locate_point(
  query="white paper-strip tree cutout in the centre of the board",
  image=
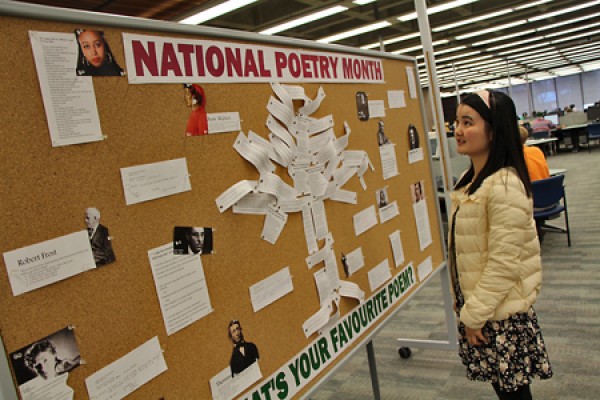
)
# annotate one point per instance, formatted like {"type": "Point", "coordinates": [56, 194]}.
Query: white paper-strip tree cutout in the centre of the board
{"type": "Point", "coordinates": [319, 165]}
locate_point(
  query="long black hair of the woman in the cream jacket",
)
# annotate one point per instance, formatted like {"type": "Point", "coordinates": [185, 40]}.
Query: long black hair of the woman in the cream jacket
{"type": "Point", "coordinates": [506, 149]}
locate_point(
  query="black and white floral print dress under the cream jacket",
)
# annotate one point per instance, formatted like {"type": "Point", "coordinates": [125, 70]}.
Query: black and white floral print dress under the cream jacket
{"type": "Point", "coordinates": [515, 351]}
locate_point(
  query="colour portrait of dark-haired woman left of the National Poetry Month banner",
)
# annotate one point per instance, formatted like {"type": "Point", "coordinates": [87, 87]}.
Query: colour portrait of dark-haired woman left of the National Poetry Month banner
{"type": "Point", "coordinates": [95, 57]}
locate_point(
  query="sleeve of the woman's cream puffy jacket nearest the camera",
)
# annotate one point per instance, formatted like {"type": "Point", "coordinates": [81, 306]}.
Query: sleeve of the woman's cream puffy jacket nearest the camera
{"type": "Point", "coordinates": [508, 214]}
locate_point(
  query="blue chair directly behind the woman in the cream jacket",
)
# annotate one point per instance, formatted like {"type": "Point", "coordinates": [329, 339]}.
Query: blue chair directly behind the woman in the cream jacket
{"type": "Point", "coordinates": [547, 196]}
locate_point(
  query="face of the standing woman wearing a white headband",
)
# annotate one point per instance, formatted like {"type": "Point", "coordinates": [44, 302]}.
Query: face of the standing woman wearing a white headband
{"type": "Point", "coordinates": [472, 133]}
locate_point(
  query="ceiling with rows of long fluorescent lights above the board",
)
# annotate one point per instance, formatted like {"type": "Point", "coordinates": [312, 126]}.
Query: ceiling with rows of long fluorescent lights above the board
{"type": "Point", "coordinates": [481, 43]}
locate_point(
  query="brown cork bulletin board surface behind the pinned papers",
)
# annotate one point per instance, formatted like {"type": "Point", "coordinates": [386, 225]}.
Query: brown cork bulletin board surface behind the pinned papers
{"type": "Point", "coordinates": [115, 309]}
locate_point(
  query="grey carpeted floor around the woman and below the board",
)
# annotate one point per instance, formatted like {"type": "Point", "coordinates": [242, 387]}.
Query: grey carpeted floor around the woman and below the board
{"type": "Point", "coordinates": [568, 309]}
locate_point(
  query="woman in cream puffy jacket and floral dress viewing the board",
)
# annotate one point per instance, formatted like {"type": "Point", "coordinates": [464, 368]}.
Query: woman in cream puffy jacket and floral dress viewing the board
{"type": "Point", "coordinates": [494, 251]}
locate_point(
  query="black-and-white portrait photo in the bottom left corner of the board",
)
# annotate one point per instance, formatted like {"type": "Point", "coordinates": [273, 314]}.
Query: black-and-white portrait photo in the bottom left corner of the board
{"type": "Point", "coordinates": [47, 358]}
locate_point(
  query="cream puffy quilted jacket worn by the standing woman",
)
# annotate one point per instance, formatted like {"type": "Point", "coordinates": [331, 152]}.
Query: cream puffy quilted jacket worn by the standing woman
{"type": "Point", "coordinates": [497, 250]}
